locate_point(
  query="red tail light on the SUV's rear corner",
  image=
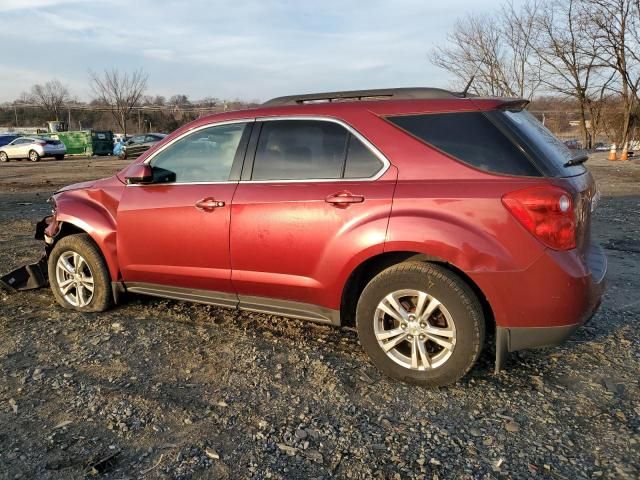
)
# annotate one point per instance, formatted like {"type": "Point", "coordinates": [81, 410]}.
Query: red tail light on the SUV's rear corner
{"type": "Point", "coordinates": [547, 212]}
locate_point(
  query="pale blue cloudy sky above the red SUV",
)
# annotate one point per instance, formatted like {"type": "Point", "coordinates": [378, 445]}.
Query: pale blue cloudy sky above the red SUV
{"type": "Point", "coordinates": [228, 49]}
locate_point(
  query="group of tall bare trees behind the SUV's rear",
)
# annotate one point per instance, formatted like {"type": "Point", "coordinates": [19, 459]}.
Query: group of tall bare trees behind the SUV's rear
{"type": "Point", "coordinates": [584, 51]}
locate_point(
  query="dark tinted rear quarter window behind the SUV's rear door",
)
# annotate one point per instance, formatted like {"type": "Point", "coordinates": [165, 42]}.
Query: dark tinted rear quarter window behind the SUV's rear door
{"type": "Point", "coordinates": [471, 138]}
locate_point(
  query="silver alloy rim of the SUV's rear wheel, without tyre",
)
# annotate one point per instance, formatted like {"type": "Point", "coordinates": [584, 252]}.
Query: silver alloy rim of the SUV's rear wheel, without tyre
{"type": "Point", "coordinates": [414, 329]}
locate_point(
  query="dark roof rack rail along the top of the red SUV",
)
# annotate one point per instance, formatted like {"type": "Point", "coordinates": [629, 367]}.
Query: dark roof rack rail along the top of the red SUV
{"type": "Point", "coordinates": [379, 94]}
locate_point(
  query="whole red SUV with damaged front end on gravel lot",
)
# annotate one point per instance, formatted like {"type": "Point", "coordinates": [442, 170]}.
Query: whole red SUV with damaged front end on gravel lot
{"type": "Point", "coordinates": [426, 216]}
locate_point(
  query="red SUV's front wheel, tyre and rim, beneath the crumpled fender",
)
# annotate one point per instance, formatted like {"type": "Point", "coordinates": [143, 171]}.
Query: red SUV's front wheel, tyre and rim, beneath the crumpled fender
{"type": "Point", "coordinates": [78, 275]}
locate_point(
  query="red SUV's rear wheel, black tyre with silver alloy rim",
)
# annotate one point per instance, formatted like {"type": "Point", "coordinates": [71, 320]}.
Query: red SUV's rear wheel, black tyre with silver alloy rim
{"type": "Point", "coordinates": [420, 323]}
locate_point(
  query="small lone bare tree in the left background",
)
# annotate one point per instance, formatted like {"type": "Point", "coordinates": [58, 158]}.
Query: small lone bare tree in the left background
{"type": "Point", "coordinates": [120, 91]}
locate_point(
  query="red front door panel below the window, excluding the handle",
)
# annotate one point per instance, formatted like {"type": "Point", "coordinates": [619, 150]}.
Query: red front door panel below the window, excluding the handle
{"type": "Point", "coordinates": [164, 239]}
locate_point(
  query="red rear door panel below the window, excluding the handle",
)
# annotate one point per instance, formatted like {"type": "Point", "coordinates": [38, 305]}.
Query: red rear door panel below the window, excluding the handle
{"type": "Point", "coordinates": [287, 242]}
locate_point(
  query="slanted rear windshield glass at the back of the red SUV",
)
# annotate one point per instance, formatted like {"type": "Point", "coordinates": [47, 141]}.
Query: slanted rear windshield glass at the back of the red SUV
{"type": "Point", "coordinates": [546, 146]}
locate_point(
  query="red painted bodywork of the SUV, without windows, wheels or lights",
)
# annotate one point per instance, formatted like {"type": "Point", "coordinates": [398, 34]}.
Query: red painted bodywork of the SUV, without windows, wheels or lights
{"type": "Point", "coordinates": [282, 240]}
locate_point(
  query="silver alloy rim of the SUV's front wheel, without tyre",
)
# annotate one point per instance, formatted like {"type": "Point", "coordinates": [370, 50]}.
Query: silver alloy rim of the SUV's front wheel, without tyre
{"type": "Point", "coordinates": [75, 280]}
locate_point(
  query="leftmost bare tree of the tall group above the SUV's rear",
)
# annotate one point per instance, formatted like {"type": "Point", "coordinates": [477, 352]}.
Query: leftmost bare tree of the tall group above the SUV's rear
{"type": "Point", "coordinates": [495, 51]}
